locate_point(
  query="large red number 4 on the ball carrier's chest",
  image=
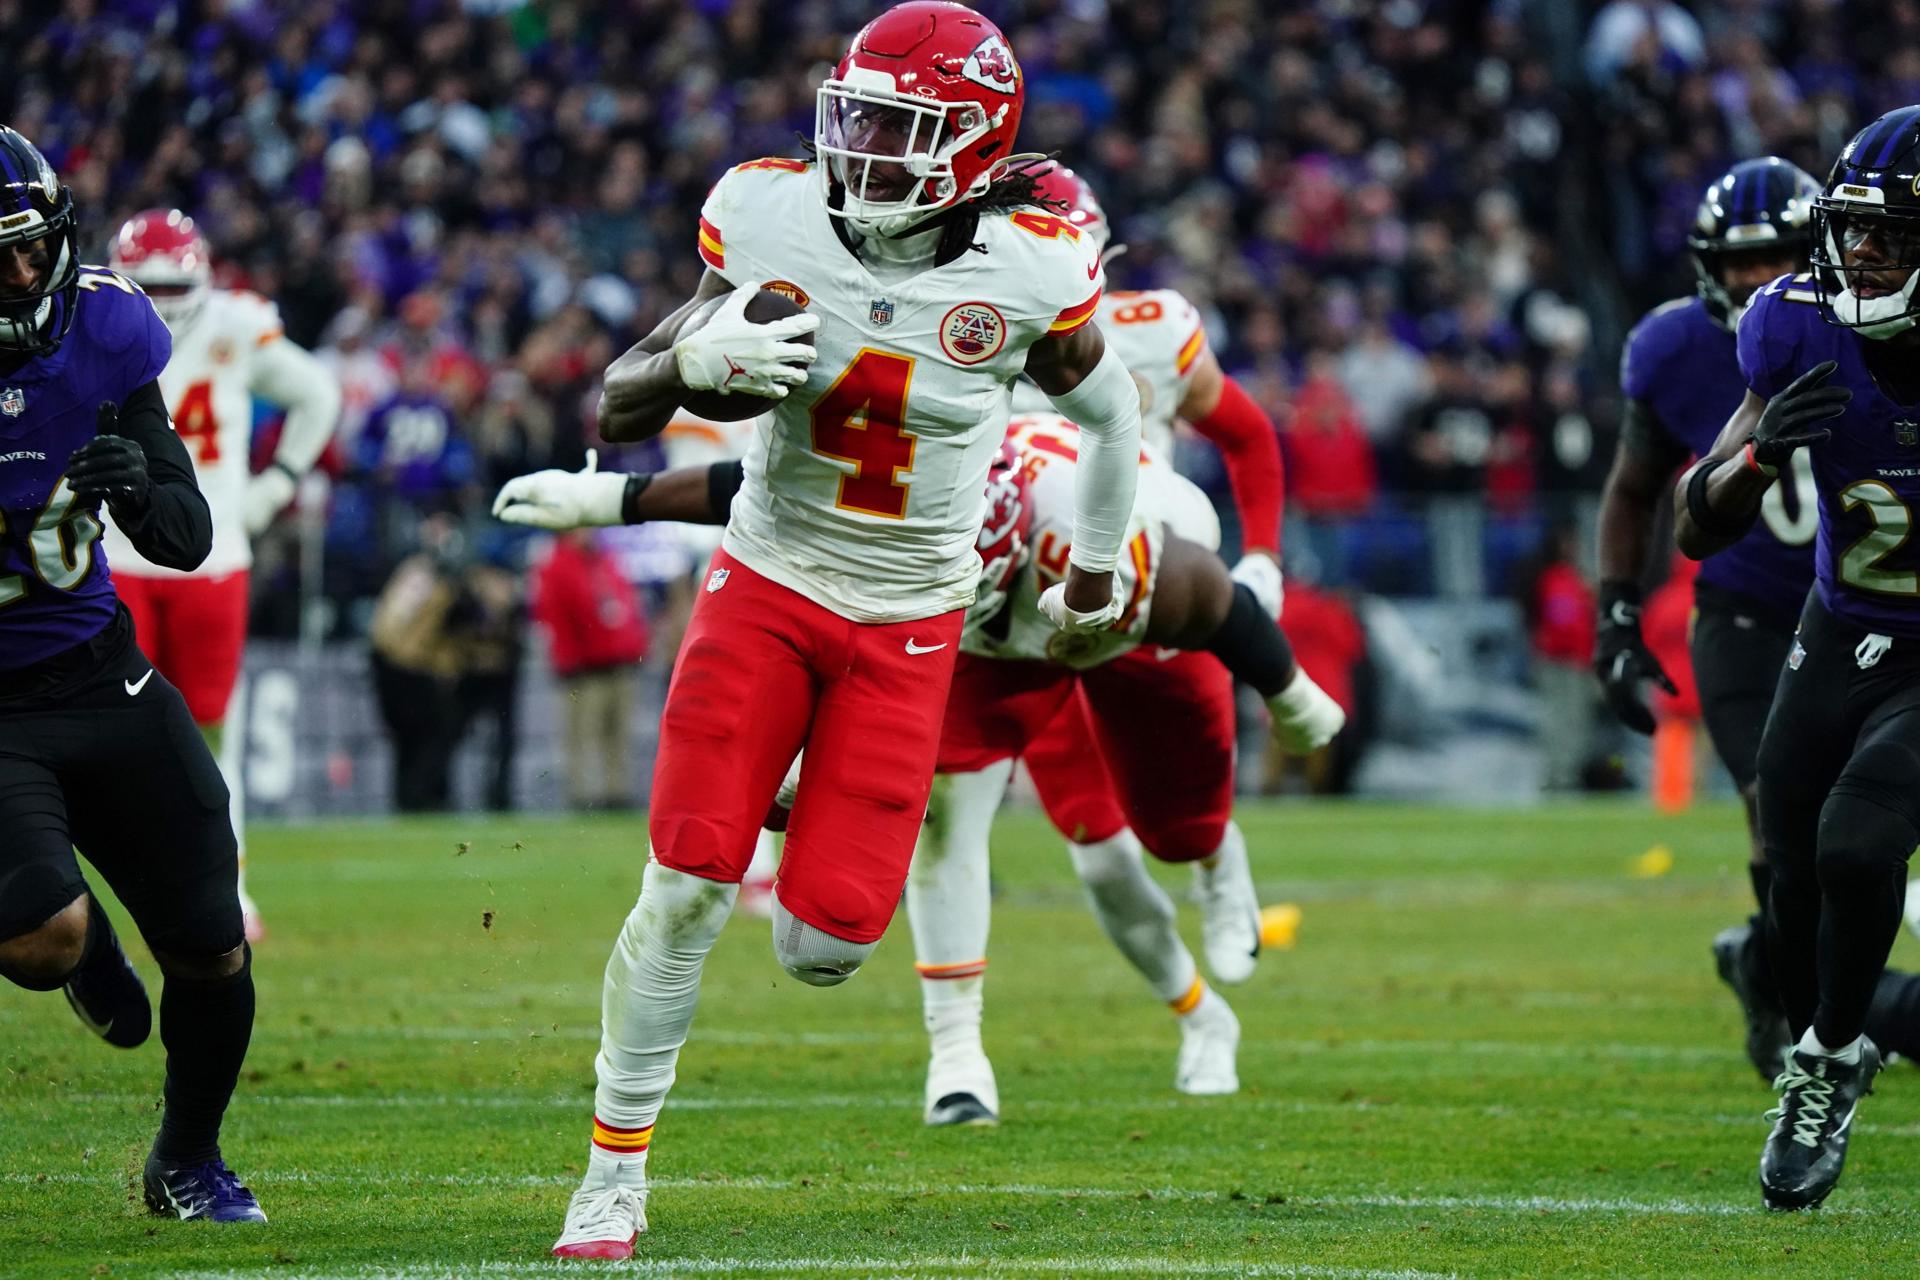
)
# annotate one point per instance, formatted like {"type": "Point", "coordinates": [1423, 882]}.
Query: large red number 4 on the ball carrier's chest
{"type": "Point", "coordinates": [861, 421]}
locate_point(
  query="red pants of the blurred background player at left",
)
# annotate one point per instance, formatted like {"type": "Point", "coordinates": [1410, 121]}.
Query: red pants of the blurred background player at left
{"type": "Point", "coordinates": [193, 630]}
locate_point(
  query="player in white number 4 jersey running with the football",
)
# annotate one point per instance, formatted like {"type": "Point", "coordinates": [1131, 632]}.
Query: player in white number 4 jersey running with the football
{"type": "Point", "coordinates": [832, 611]}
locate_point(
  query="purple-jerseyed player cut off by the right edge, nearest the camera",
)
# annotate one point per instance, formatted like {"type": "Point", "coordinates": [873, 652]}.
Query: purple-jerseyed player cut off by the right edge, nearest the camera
{"type": "Point", "coordinates": [1831, 367]}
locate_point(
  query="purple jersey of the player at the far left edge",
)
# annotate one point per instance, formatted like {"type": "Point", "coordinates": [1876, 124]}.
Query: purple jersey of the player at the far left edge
{"type": "Point", "coordinates": [55, 588]}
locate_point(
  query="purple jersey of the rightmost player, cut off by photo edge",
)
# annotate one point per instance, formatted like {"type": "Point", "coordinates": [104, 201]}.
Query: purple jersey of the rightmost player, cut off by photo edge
{"type": "Point", "coordinates": [1869, 473]}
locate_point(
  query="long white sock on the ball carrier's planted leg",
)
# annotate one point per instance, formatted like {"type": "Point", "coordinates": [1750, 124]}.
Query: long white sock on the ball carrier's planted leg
{"type": "Point", "coordinates": [654, 982]}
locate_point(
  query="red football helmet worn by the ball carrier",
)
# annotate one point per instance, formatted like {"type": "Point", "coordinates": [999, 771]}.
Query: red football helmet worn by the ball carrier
{"type": "Point", "coordinates": [919, 116]}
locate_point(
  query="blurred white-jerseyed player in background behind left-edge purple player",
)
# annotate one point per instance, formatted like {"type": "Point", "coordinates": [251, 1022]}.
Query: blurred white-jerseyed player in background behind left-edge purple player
{"type": "Point", "coordinates": [229, 350]}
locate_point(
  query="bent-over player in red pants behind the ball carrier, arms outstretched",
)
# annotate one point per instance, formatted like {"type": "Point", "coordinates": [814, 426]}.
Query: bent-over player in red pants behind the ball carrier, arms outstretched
{"type": "Point", "coordinates": [1159, 717]}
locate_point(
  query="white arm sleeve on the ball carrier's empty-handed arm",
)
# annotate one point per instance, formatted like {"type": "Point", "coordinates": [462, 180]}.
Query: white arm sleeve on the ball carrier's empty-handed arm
{"type": "Point", "coordinates": [1107, 406]}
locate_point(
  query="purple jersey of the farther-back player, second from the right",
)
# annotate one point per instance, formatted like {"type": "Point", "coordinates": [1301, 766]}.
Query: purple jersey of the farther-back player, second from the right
{"type": "Point", "coordinates": [1685, 367]}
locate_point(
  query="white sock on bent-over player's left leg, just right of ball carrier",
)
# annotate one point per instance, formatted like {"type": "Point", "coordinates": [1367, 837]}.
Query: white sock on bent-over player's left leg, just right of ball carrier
{"type": "Point", "coordinates": [949, 905]}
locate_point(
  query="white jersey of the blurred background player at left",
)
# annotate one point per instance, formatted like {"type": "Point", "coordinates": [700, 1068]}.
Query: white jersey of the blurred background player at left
{"type": "Point", "coordinates": [210, 392]}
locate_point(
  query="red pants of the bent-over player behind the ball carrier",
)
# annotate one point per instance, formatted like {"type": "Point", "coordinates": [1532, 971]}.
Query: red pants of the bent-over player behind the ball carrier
{"type": "Point", "coordinates": [1138, 742]}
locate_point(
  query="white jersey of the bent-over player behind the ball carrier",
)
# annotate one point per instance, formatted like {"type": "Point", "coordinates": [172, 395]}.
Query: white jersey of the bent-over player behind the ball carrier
{"type": "Point", "coordinates": [1164, 504]}
